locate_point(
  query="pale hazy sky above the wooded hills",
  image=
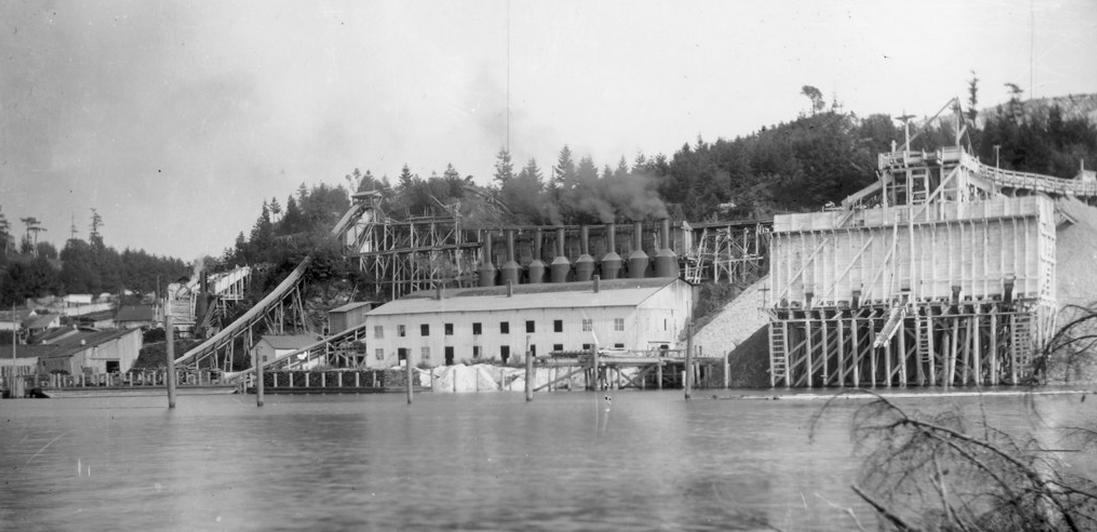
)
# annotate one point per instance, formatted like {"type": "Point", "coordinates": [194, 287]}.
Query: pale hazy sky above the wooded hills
{"type": "Point", "coordinates": [176, 120]}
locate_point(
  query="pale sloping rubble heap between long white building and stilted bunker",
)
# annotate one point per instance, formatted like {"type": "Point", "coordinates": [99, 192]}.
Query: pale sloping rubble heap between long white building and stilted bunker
{"type": "Point", "coordinates": [736, 323]}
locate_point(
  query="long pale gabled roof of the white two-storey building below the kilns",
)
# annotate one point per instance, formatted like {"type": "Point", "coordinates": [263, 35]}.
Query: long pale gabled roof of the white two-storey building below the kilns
{"type": "Point", "coordinates": [616, 293]}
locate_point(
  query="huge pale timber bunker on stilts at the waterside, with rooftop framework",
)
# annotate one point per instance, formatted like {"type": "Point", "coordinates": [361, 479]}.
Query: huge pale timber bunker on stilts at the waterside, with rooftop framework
{"type": "Point", "coordinates": [943, 273]}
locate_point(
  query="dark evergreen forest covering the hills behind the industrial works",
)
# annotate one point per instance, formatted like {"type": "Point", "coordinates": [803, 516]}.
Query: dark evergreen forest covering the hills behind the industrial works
{"type": "Point", "coordinates": [822, 156]}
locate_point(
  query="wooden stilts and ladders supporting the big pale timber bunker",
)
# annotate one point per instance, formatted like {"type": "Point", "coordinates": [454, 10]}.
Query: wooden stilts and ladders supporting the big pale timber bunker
{"type": "Point", "coordinates": [985, 344]}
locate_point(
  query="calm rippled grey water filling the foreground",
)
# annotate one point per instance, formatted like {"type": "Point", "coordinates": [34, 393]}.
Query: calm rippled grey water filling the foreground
{"type": "Point", "coordinates": [568, 461]}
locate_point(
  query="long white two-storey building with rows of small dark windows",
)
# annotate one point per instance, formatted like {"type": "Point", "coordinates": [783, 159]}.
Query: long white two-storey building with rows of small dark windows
{"type": "Point", "coordinates": [499, 323]}
